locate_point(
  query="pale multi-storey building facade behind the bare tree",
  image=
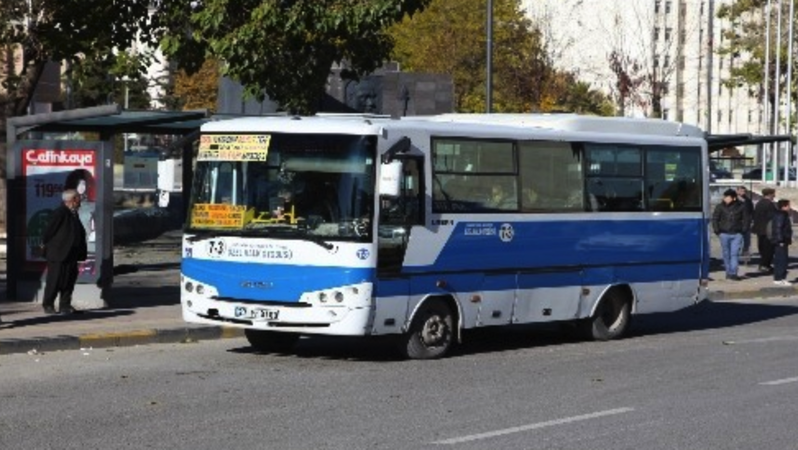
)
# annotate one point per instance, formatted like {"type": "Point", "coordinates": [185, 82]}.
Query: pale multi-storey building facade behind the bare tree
{"type": "Point", "coordinates": [667, 50]}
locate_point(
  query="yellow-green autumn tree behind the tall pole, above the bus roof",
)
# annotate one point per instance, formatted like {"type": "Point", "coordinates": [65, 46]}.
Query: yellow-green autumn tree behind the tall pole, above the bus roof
{"type": "Point", "coordinates": [449, 37]}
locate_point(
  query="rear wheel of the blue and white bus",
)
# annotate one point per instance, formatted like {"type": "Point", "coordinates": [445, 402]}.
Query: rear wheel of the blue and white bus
{"type": "Point", "coordinates": [611, 320]}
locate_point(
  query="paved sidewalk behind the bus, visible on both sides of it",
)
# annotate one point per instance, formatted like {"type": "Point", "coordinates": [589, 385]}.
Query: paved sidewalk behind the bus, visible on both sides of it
{"type": "Point", "coordinates": [145, 305]}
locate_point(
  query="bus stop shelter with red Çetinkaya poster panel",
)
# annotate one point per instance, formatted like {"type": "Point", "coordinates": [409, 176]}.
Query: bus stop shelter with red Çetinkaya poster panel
{"type": "Point", "coordinates": [39, 169]}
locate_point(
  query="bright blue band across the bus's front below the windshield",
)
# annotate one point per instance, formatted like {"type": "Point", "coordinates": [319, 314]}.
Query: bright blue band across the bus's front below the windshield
{"type": "Point", "coordinates": [261, 282]}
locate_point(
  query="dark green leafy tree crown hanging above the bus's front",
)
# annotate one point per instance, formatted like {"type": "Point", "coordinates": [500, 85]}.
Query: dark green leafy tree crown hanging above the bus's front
{"type": "Point", "coordinates": [281, 47]}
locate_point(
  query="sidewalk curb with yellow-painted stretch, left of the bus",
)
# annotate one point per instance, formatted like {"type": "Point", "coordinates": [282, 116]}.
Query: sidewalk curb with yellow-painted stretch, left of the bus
{"type": "Point", "coordinates": [120, 339]}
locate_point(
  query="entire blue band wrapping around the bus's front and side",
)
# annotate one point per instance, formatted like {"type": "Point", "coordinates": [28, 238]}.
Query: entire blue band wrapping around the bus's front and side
{"type": "Point", "coordinates": [581, 253]}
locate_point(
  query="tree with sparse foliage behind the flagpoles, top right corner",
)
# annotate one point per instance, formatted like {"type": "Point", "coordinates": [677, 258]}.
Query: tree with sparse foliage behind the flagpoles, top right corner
{"type": "Point", "coordinates": [744, 42]}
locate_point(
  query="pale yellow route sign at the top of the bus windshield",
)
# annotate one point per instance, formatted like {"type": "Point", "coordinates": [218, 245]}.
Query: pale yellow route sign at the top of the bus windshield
{"type": "Point", "coordinates": [234, 147]}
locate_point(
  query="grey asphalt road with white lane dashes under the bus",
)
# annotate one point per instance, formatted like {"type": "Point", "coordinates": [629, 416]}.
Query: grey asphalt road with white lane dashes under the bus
{"type": "Point", "coordinates": [720, 376]}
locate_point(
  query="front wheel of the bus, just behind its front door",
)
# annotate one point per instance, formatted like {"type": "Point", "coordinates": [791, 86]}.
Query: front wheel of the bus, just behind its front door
{"type": "Point", "coordinates": [431, 334]}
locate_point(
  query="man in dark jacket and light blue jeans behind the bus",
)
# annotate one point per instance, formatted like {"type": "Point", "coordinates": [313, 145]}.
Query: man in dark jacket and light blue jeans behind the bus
{"type": "Point", "coordinates": [729, 221]}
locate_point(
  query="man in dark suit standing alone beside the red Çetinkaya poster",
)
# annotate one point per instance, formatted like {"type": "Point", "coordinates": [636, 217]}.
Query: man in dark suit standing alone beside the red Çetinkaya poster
{"type": "Point", "coordinates": [64, 245]}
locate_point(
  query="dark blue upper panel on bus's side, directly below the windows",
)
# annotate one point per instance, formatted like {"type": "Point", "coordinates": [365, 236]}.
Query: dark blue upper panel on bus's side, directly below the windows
{"type": "Point", "coordinates": [478, 246]}
